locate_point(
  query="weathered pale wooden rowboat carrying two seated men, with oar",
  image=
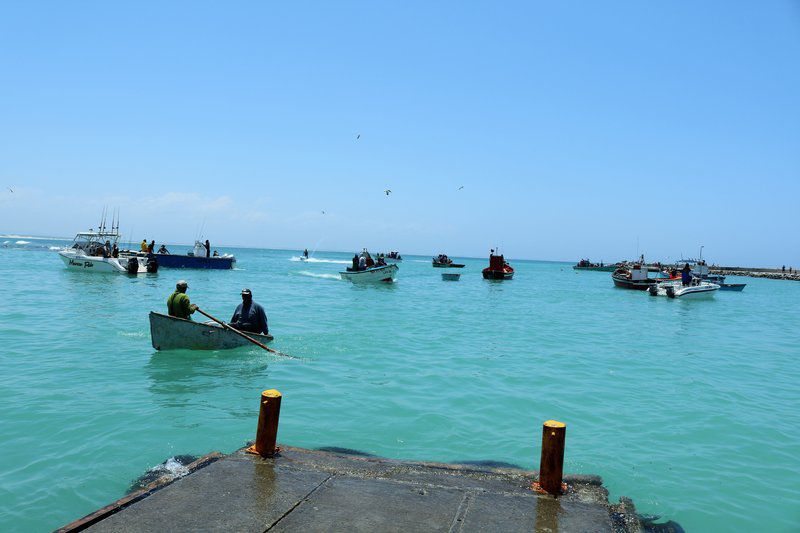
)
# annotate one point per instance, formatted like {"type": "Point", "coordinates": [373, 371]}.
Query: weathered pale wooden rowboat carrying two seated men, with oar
{"type": "Point", "coordinates": [171, 333]}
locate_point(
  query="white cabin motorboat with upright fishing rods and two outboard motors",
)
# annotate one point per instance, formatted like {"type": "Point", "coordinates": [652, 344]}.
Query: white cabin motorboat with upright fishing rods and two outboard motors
{"type": "Point", "coordinates": [97, 251]}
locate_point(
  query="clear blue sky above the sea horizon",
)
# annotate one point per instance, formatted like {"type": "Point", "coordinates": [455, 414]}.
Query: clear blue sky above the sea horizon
{"type": "Point", "coordinates": [575, 128]}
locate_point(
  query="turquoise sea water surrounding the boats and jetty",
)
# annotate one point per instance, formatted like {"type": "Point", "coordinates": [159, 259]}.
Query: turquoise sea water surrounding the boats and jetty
{"type": "Point", "coordinates": [688, 407]}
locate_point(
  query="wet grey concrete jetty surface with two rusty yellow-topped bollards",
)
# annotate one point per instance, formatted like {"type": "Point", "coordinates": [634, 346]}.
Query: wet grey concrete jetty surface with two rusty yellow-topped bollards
{"type": "Point", "coordinates": [314, 490]}
